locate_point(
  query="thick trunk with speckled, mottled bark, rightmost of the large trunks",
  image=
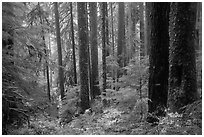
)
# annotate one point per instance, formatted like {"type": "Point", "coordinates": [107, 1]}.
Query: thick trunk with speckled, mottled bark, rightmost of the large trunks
{"type": "Point", "coordinates": [182, 65]}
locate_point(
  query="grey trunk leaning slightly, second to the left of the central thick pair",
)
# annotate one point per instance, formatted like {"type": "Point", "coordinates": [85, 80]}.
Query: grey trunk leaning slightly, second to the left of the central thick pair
{"type": "Point", "coordinates": [59, 49]}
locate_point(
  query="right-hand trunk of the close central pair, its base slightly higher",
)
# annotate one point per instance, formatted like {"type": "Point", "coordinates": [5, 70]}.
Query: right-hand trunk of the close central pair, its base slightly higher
{"type": "Point", "coordinates": [94, 49]}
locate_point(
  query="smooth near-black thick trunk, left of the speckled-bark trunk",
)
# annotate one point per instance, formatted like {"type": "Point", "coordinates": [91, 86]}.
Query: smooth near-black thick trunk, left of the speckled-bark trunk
{"type": "Point", "coordinates": [159, 46]}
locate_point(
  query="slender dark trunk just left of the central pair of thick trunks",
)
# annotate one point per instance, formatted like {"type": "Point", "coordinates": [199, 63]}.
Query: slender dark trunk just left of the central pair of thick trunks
{"type": "Point", "coordinates": [73, 46]}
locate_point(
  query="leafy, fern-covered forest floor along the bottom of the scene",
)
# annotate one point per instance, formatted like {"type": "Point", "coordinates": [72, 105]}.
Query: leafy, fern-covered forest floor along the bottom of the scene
{"type": "Point", "coordinates": [124, 115]}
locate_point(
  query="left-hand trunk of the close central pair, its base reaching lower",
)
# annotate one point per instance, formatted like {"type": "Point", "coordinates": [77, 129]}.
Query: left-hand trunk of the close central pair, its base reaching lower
{"type": "Point", "coordinates": [83, 56]}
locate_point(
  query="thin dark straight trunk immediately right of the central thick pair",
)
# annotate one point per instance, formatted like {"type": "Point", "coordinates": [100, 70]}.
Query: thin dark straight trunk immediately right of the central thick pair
{"type": "Point", "coordinates": [104, 6]}
